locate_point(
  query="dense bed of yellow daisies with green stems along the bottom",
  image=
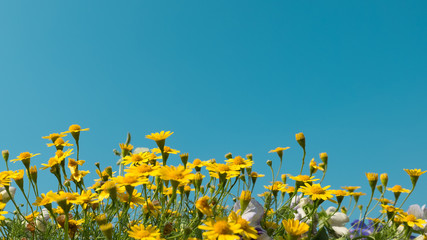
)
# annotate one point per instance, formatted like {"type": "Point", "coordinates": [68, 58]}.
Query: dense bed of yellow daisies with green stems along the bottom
{"type": "Point", "coordinates": [145, 197]}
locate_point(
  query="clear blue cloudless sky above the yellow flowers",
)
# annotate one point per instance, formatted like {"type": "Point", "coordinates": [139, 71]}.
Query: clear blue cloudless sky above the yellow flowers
{"type": "Point", "coordinates": [225, 76]}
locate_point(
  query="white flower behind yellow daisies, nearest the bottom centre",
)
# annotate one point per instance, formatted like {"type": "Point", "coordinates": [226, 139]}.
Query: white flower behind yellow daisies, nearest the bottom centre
{"type": "Point", "coordinates": [253, 214]}
